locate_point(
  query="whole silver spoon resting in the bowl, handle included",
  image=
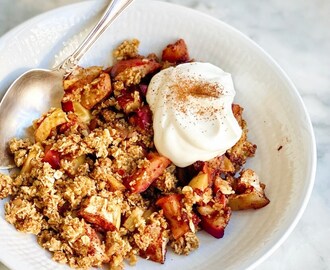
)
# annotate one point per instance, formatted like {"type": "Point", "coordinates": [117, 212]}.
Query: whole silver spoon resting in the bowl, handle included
{"type": "Point", "coordinates": [37, 90]}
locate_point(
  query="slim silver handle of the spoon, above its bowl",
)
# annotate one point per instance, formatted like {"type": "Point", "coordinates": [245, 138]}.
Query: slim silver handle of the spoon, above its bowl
{"type": "Point", "coordinates": [114, 8]}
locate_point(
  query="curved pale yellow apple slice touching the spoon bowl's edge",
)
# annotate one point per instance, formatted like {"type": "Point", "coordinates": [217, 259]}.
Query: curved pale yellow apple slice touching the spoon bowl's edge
{"type": "Point", "coordinates": [55, 118]}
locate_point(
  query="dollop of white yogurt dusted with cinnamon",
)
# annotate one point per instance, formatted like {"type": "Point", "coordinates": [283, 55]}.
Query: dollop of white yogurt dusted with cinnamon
{"type": "Point", "coordinates": [192, 112]}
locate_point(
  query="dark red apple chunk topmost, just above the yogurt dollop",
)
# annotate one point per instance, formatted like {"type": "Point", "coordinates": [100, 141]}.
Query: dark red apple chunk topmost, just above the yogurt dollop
{"type": "Point", "coordinates": [176, 52]}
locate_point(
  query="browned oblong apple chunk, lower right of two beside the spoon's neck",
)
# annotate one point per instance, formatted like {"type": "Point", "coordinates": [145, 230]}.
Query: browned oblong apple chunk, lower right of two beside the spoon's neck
{"type": "Point", "coordinates": [97, 90]}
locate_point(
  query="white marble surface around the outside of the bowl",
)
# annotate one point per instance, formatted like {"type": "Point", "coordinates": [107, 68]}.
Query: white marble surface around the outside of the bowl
{"type": "Point", "coordinates": [296, 33]}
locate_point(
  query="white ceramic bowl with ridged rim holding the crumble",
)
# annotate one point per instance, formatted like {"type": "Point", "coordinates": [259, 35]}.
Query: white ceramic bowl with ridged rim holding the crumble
{"type": "Point", "coordinates": [276, 116]}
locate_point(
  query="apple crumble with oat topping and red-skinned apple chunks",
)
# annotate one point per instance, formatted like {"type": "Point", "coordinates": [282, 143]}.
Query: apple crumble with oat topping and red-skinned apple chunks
{"type": "Point", "coordinates": [92, 186]}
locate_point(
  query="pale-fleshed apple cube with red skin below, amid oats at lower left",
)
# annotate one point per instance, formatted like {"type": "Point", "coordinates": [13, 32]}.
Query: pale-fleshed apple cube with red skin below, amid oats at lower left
{"type": "Point", "coordinates": [103, 213]}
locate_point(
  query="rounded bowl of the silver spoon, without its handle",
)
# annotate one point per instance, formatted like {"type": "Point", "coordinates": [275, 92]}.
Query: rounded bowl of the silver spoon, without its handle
{"type": "Point", "coordinates": [30, 95]}
